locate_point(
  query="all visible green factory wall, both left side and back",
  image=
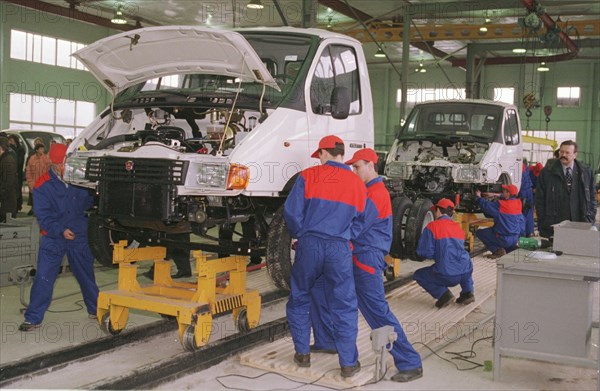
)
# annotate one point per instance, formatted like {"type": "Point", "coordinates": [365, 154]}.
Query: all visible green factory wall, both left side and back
{"type": "Point", "coordinates": [27, 77]}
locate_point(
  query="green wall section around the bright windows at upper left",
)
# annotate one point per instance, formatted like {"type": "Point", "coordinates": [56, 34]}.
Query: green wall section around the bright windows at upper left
{"type": "Point", "coordinates": [40, 79]}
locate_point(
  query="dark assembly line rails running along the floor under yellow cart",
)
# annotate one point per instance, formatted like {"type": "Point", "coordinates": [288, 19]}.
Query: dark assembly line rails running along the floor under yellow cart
{"type": "Point", "coordinates": [152, 375]}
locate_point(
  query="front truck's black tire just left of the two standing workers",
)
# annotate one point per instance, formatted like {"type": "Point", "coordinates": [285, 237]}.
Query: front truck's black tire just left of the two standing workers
{"type": "Point", "coordinates": [279, 253]}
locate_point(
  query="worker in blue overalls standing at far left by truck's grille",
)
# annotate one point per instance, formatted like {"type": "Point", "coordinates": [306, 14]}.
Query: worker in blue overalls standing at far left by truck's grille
{"type": "Point", "coordinates": [60, 210]}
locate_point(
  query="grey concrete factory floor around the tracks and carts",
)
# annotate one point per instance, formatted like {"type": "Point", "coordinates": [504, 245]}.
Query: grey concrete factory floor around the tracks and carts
{"type": "Point", "coordinates": [67, 325]}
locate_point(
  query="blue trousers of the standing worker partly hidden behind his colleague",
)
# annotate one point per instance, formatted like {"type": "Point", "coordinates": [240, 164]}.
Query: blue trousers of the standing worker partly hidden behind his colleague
{"type": "Point", "coordinates": [368, 278]}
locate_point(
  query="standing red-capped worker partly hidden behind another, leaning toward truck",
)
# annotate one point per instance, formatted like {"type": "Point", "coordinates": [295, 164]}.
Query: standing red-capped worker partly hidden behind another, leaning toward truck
{"type": "Point", "coordinates": [370, 245]}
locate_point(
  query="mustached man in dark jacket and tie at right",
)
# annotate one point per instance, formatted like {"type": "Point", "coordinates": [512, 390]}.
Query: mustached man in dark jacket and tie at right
{"type": "Point", "coordinates": [565, 191]}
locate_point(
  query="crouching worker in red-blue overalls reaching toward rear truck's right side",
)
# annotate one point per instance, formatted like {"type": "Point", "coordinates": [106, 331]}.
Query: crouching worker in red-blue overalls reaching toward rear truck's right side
{"type": "Point", "coordinates": [508, 221]}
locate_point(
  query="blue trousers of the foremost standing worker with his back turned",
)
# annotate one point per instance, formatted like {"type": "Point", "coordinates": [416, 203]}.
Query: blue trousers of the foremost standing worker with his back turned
{"type": "Point", "coordinates": [331, 260]}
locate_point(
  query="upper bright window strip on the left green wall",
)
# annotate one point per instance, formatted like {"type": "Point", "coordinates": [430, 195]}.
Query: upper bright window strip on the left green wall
{"type": "Point", "coordinates": [44, 50]}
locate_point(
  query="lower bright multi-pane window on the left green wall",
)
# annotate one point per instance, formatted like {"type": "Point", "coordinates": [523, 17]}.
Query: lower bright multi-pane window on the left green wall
{"type": "Point", "coordinates": [63, 116]}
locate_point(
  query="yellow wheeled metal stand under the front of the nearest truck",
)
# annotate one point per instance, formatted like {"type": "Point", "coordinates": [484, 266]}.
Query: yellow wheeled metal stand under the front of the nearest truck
{"type": "Point", "coordinates": [192, 304]}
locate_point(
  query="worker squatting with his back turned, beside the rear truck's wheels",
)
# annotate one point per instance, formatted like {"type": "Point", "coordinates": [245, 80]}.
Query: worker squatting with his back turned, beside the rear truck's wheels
{"type": "Point", "coordinates": [444, 241]}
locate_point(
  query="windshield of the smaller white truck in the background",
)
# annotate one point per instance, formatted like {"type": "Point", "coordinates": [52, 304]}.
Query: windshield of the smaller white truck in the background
{"type": "Point", "coordinates": [450, 121]}
